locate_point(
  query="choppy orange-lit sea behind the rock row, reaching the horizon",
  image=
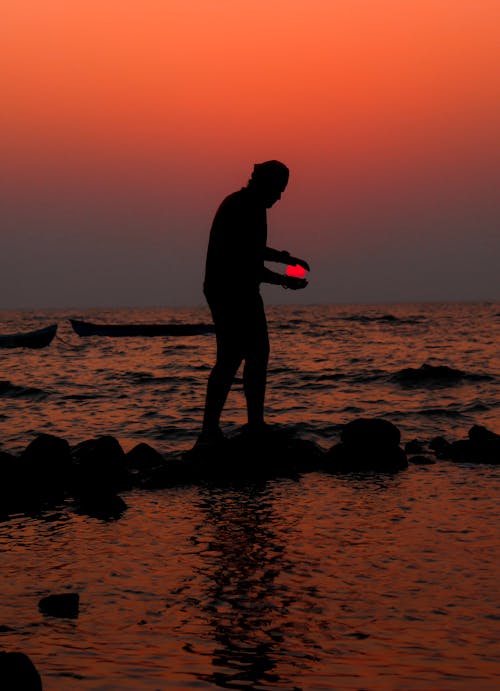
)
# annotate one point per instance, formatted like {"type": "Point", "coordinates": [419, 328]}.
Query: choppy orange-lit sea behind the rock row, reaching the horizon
{"type": "Point", "coordinates": [328, 364]}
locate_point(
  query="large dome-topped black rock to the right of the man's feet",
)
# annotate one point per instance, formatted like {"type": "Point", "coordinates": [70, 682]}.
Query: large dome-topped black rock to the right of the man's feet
{"type": "Point", "coordinates": [367, 444]}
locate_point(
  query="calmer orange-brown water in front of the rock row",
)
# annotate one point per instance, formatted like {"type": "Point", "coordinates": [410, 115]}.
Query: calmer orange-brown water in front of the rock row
{"type": "Point", "coordinates": [372, 582]}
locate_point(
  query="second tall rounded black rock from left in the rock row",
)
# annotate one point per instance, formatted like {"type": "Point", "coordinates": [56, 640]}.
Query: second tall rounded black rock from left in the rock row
{"type": "Point", "coordinates": [100, 467]}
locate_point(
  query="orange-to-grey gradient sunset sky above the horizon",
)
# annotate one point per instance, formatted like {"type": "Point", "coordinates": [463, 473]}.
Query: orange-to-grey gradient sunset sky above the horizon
{"type": "Point", "coordinates": [125, 122]}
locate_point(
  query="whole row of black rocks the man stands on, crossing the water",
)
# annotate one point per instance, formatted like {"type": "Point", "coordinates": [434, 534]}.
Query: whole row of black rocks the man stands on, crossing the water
{"type": "Point", "coordinates": [92, 474]}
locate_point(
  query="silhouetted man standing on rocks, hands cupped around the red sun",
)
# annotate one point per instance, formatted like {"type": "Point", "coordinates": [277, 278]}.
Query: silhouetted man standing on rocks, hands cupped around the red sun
{"type": "Point", "coordinates": [234, 271]}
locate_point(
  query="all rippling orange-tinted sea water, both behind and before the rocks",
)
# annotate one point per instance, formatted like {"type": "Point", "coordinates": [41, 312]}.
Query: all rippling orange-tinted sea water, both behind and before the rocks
{"type": "Point", "coordinates": [325, 582]}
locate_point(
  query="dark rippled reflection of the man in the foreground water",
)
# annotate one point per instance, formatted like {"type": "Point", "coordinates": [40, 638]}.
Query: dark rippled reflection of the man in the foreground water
{"type": "Point", "coordinates": [245, 604]}
